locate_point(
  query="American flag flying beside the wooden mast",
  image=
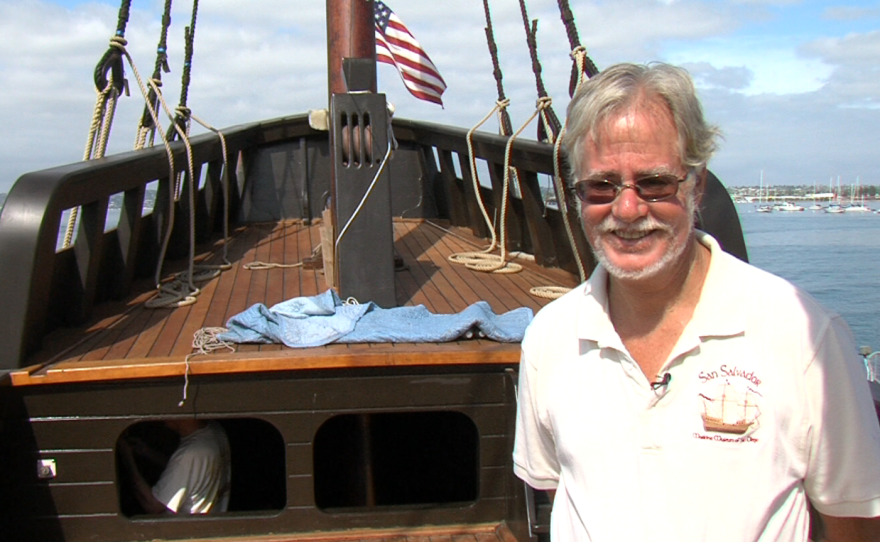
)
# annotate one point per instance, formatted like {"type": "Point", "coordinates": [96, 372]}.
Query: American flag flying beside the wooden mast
{"type": "Point", "coordinates": [395, 45]}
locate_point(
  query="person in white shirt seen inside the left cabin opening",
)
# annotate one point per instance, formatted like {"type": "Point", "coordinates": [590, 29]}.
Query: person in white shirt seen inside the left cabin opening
{"type": "Point", "coordinates": [197, 477]}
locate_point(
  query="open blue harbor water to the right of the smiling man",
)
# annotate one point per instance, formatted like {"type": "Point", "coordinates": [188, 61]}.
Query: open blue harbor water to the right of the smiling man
{"type": "Point", "coordinates": [834, 257]}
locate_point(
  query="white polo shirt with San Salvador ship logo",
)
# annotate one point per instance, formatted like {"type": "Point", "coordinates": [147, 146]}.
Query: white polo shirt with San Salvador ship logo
{"type": "Point", "coordinates": [767, 406]}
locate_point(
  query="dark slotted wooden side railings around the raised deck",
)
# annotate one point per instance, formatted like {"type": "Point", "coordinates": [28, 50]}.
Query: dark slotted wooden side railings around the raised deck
{"type": "Point", "coordinates": [43, 287]}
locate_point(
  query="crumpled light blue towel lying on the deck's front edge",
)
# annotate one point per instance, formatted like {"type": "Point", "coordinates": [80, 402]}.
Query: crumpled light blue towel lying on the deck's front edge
{"type": "Point", "coordinates": [323, 319]}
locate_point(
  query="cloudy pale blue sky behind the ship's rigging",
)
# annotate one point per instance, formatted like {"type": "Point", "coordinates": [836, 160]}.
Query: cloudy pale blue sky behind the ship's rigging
{"type": "Point", "coordinates": [793, 85]}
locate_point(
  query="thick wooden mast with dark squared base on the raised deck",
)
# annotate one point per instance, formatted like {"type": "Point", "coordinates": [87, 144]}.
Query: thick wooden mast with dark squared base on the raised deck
{"type": "Point", "coordinates": [360, 195]}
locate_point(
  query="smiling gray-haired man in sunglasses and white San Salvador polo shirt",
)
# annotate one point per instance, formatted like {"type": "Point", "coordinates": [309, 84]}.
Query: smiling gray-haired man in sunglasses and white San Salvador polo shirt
{"type": "Point", "coordinates": [681, 394]}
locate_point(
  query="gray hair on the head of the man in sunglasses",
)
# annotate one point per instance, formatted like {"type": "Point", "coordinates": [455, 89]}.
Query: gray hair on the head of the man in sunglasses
{"type": "Point", "coordinates": [622, 85]}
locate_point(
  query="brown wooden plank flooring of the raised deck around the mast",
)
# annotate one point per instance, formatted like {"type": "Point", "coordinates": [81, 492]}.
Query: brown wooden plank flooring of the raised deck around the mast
{"type": "Point", "coordinates": [128, 334]}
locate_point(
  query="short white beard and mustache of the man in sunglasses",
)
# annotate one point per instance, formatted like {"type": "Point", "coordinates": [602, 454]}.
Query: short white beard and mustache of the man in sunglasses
{"type": "Point", "coordinates": [649, 223]}
